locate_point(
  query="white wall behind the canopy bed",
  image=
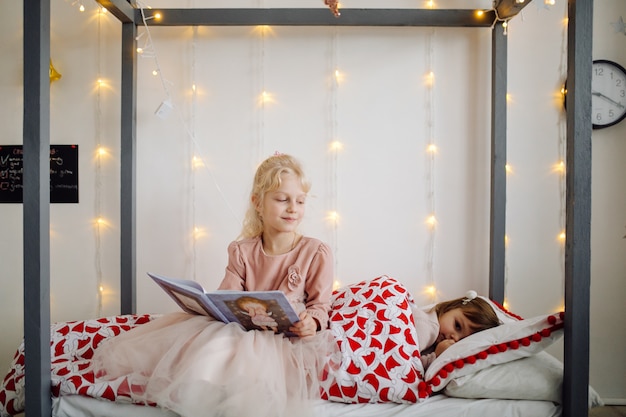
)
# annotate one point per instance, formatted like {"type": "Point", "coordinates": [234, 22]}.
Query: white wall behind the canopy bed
{"type": "Point", "coordinates": [379, 182]}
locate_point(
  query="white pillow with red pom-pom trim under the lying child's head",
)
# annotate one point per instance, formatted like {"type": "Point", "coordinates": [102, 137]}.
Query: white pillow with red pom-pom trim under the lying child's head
{"type": "Point", "coordinates": [510, 341]}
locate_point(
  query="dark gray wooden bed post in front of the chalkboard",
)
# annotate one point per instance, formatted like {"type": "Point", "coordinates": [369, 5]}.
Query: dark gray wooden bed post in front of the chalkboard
{"type": "Point", "coordinates": [36, 206]}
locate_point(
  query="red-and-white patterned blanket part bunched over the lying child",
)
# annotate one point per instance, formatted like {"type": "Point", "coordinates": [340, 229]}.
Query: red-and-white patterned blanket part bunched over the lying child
{"type": "Point", "coordinates": [378, 358]}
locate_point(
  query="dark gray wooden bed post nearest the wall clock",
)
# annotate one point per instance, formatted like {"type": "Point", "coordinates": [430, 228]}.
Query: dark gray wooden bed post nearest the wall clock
{"type": "Point", "coordinates": [578, 208]}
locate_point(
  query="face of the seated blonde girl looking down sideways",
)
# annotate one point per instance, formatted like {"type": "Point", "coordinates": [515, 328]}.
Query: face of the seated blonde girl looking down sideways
{"type": "Point", "coordinates": [282, 210]}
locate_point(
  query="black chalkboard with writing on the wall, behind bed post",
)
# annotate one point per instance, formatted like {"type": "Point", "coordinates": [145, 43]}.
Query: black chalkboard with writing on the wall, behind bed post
{"type": "Point", "coordinates": [63, 173]}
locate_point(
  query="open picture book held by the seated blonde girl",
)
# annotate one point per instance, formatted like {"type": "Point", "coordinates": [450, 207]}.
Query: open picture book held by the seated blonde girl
{"type": "Point", "coordinates": [253, 310]}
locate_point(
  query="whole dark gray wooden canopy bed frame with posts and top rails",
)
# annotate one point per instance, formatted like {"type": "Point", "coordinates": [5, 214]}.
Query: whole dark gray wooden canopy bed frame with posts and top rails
{"type": "Point", "coordinates": [36, 142]}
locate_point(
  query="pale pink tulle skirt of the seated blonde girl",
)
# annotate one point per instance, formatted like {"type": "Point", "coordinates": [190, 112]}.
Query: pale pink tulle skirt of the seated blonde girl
{"type": "Point", "coordinates": [197, 366]}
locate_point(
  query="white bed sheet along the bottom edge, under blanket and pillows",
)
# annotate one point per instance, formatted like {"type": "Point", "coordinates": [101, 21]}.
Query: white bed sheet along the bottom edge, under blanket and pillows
{"type": "Point", "coordinates": [436, 406]}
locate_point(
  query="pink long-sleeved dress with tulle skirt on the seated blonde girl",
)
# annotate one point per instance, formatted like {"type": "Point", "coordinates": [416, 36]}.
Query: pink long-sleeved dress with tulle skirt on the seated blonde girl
{"type": "Point", "coordinates": [197, 366]}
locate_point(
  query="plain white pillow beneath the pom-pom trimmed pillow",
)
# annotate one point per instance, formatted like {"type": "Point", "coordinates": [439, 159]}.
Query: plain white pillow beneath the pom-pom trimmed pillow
{"type": "Point", "coordinates": [537, 377]}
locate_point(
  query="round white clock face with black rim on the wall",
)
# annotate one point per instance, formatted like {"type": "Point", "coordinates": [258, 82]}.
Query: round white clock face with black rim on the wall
{"type": "Point", "coordinates": [608, 94]}
